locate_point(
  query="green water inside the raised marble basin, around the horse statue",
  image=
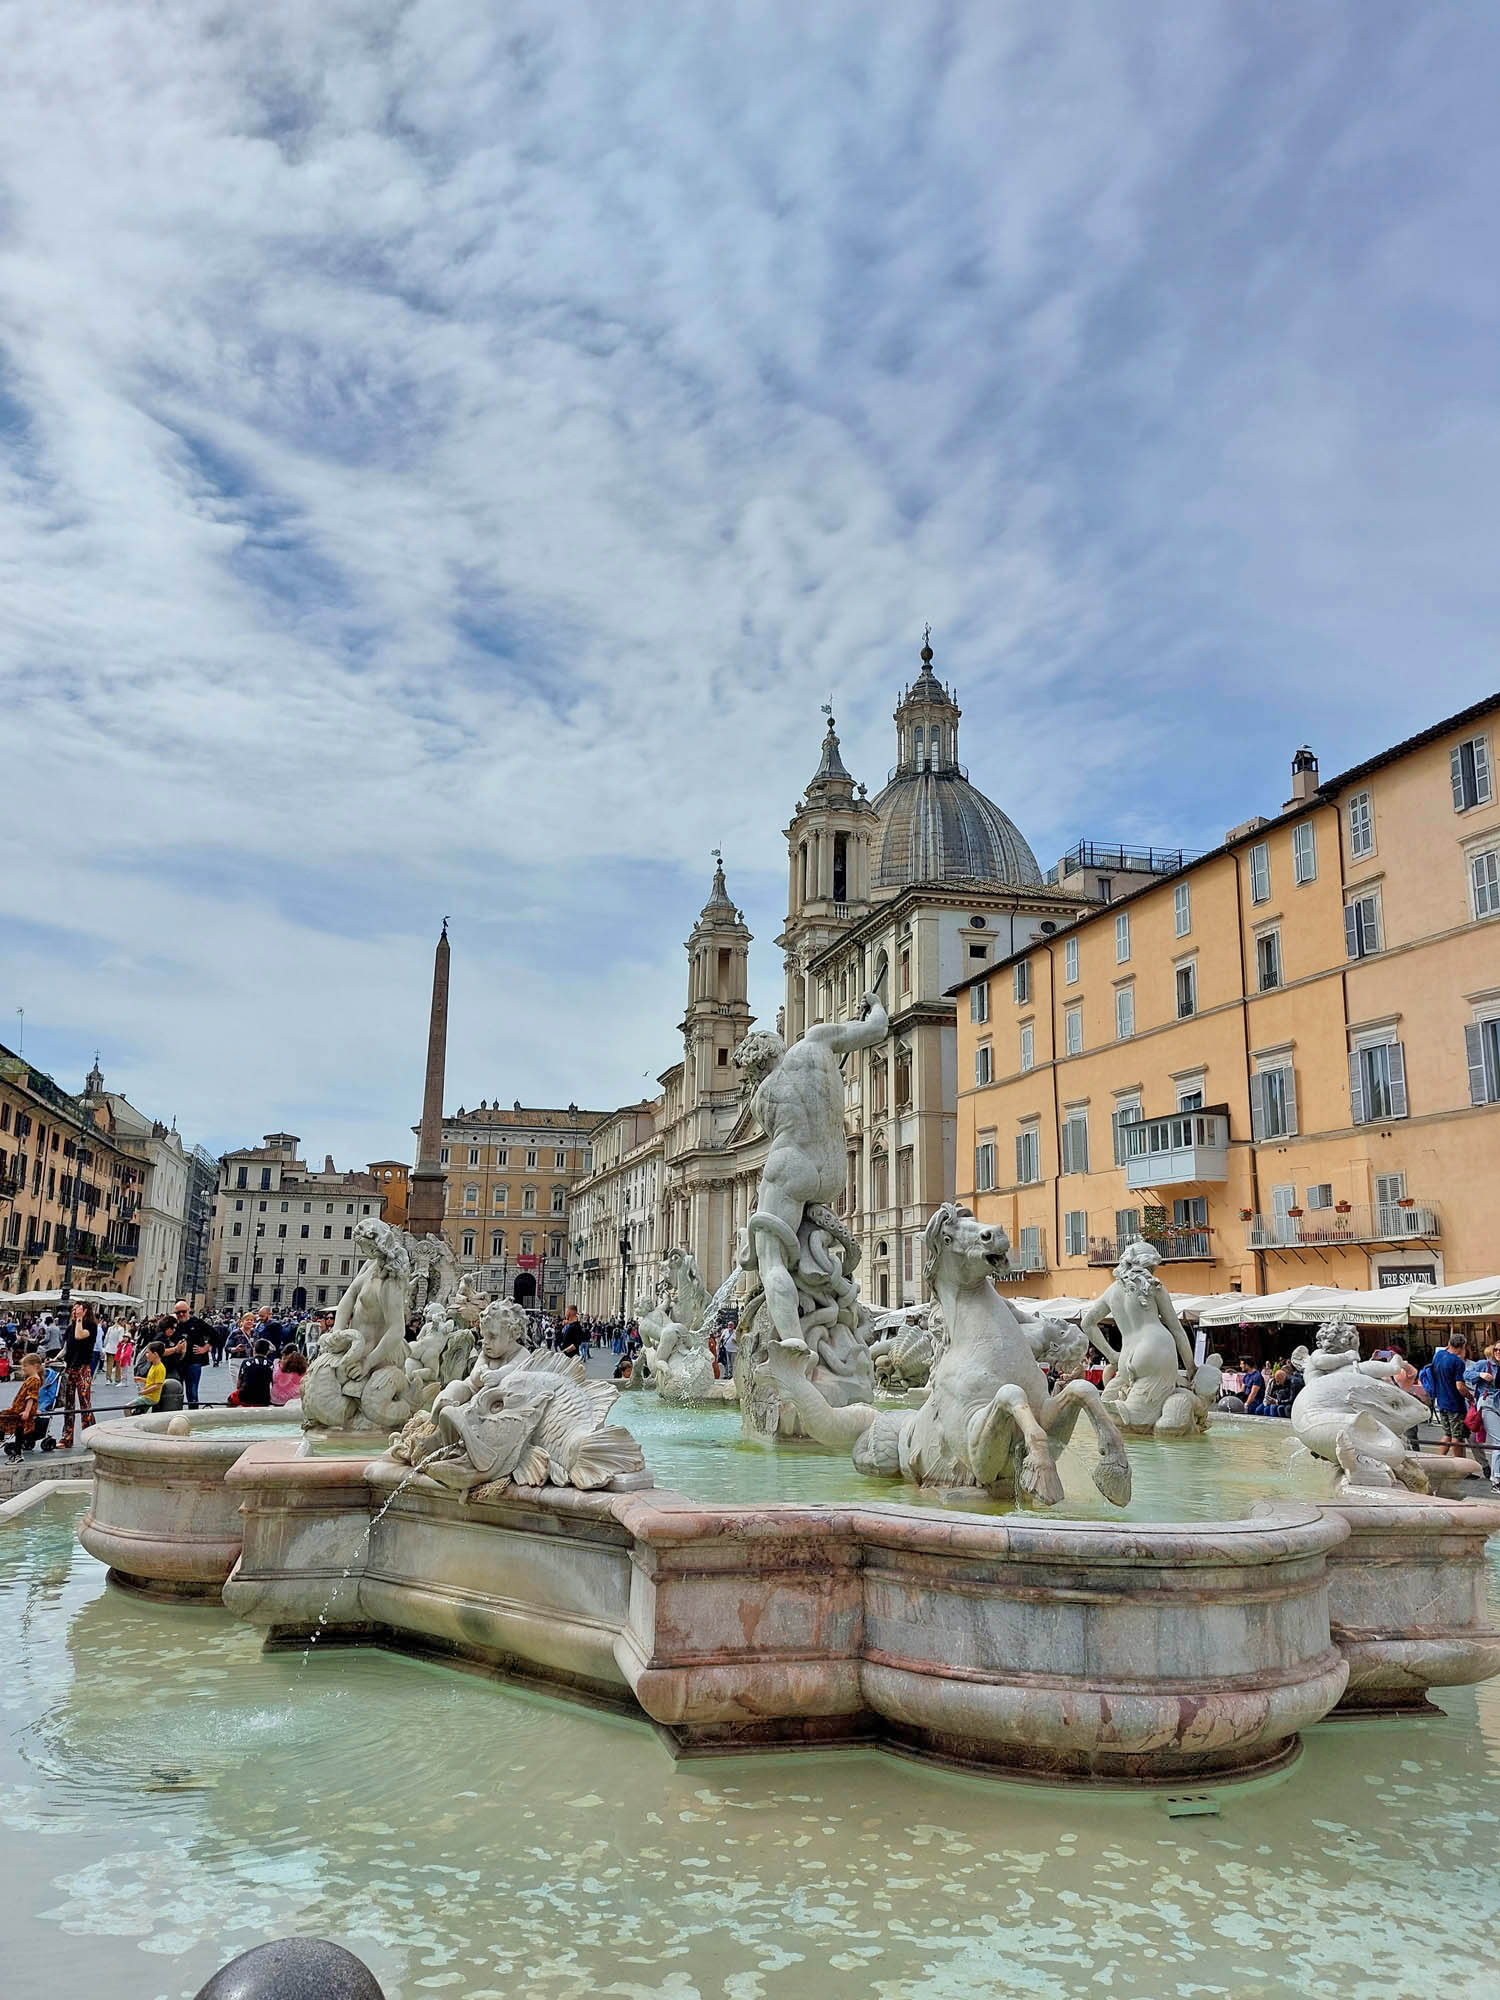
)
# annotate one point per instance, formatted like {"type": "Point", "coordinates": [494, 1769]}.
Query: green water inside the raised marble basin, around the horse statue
{"type": "Point", "coordinates": [1219, 1477]}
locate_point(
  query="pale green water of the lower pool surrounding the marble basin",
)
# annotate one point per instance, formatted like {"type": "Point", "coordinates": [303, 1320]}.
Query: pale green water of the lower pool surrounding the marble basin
{"type": "Point", "coordinates": [171, 1797]}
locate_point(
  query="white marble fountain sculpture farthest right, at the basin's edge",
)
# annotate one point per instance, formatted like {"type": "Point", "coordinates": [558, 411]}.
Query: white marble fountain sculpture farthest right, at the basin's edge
{"type": "Point", "coordinates": [1353, 1415]}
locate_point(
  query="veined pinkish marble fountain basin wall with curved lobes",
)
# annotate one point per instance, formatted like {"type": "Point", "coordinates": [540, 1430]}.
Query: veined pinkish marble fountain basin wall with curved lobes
{"type": "Point", "coordinates": [1035, 1645]}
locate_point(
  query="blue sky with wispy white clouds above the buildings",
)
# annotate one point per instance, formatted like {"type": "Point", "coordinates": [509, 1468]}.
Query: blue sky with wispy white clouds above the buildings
{"type": "Point", "coordinates": [451, 453]}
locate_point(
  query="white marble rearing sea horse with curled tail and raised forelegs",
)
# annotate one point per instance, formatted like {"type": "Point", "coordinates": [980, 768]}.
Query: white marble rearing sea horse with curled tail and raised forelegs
{"type": "Point", "coordinates": [989, 1419]}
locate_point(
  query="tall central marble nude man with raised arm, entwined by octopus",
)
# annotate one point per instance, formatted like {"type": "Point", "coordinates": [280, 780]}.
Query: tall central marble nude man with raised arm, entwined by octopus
{"type": "Point", "coordinates": [799, 1255]}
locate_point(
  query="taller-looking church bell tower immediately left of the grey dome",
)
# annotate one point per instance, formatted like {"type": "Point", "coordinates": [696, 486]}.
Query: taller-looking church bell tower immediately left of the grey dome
{"type": "Point", "coordinates": [829, 849]}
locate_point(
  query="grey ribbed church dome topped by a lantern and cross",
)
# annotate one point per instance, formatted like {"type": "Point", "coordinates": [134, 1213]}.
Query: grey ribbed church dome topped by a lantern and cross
{"type": "Point", "coordinates": [935, 825]}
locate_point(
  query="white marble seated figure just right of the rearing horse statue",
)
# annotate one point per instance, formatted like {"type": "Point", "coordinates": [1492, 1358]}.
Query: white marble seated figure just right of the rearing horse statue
{"type": "Point", "coordinates": [1155, 1387]}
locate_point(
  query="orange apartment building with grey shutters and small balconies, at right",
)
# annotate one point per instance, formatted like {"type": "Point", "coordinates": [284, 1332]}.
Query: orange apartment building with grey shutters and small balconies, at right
{"type": "Point", "coordinates": [1281, 1063]}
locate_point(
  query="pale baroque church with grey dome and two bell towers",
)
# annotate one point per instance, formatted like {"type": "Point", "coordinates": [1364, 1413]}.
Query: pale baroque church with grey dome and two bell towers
{"type": "Point", "coordinates": [903, 895]}
